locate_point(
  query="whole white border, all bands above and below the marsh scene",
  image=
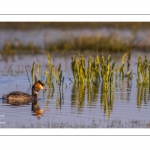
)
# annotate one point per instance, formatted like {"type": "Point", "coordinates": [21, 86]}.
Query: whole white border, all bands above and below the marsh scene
{"type": "Point", "coordinates": [77, 7]}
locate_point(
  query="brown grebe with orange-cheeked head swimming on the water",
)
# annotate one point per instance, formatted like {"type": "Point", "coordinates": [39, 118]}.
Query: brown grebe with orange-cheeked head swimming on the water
{"type": "Point", "coordinates": [21, 98]}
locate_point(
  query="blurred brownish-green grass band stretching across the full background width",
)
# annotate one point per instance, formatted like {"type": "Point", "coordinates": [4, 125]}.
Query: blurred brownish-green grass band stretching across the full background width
{"type": "Point", "coordinates": [81, 43]}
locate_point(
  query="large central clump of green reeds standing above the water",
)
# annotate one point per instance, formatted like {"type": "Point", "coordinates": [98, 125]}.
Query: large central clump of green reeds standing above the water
{"type": "Point", "coordinates": [98, 68]}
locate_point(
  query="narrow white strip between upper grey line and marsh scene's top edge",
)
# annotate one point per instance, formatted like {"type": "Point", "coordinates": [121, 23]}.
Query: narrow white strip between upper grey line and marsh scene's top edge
{"type": "Point", "coordinates": [74, 18]}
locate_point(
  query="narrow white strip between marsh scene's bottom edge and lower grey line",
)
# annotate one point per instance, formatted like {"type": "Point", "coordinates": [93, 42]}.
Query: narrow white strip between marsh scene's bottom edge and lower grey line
{"type": "Point", "coordinates": [75, 131]}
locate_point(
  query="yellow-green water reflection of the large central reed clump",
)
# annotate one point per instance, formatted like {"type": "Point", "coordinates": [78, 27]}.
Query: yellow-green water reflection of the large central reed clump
{"type": "Point", "coordinates": [92, 93]}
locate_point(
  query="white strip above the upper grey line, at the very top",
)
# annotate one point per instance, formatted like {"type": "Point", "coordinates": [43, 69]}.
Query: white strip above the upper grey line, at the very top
{"type": "Point", "coordinates": [74, 7]}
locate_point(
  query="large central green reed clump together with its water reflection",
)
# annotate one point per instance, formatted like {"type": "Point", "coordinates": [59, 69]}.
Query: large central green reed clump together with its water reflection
{"type": "Point", "coordinates": [99, 69]}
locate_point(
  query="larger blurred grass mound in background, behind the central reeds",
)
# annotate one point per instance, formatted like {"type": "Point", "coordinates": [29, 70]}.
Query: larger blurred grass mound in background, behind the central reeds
{"type": "Point", "coordinates": [96, 43]}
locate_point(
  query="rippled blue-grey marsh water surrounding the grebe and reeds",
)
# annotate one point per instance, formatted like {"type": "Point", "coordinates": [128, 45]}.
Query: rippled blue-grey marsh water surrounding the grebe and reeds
{"type": "Point", "coordinates": [71, 105]}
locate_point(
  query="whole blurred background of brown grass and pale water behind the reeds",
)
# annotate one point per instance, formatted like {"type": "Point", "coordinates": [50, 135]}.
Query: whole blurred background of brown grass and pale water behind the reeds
{"type": "Point", "coordinates": [41, 37]}
